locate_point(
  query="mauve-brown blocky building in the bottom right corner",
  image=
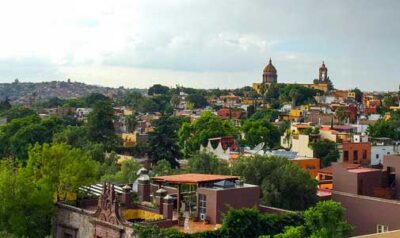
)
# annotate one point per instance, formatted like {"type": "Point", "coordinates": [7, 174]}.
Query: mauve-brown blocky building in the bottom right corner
{"type": "Point", "coordinates": [370, 196]}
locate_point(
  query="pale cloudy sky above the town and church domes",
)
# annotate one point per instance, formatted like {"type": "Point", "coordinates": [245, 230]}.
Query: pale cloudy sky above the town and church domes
{"type": "Point", "coordinates": [200, 43]}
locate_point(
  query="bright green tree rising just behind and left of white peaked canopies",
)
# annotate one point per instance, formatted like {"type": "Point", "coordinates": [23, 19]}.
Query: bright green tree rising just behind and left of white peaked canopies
{"type": "Point", "coordinates": [208, 125]}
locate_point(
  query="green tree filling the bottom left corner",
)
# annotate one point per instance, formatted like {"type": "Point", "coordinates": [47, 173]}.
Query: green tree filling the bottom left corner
{"type": "Point", "coordinates": [26, 207]}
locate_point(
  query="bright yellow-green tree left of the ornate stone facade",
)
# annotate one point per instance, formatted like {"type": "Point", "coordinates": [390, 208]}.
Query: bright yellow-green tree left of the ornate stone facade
{"type": "Point", "coordinates": [61, 168]}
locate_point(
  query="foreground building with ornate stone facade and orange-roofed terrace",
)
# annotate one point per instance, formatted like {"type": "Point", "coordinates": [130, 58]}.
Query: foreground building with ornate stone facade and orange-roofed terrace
{"type": "Point", "coordinates": [189, 202]}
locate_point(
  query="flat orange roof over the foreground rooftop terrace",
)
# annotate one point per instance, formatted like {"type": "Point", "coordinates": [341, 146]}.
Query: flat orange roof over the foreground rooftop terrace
{"type": "Point", "coordinates": [193, 178]}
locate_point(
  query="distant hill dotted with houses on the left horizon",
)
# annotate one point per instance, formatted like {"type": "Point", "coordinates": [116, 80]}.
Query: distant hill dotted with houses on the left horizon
{"type": "Point", "coordinates": [28, 93]}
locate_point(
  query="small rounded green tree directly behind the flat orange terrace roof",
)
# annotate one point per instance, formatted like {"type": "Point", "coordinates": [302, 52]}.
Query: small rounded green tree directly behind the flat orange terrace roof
{"type": "Point", "coordinates": [206, 163]}
